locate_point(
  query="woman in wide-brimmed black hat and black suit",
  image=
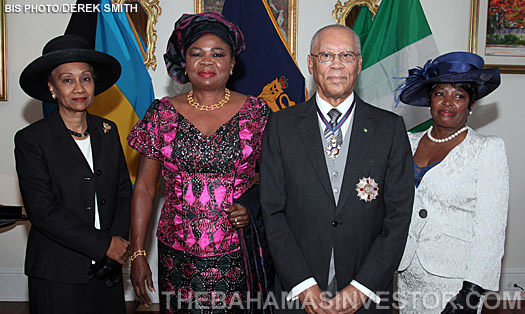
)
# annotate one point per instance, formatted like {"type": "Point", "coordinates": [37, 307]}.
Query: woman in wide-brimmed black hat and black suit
{"type": "Point", "coordinates": [74, 183]}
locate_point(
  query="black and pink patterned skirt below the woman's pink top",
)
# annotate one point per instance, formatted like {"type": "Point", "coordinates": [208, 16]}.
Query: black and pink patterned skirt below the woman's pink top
{"type": "Point", "coordinates": [193, 284]}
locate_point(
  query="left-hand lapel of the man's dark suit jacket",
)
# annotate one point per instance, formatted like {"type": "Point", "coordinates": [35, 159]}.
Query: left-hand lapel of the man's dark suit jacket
{"type": "Point", "coordinates": [308, 125]}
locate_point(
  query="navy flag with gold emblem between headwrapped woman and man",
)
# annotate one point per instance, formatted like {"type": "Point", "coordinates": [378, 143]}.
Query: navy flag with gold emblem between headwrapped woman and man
{"type": "Point", "coordinates": [267, 67]}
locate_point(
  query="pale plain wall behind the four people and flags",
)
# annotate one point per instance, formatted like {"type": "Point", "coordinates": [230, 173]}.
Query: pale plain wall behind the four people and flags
{"type": "Point", "coordinates": [500, 113]}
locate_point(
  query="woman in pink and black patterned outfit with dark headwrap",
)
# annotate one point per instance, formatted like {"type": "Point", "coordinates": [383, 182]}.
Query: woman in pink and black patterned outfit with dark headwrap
{"type": "Point", "coordinates": [206, 144]}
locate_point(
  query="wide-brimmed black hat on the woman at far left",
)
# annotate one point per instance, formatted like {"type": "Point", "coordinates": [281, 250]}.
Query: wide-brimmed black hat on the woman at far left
{"type": "Point", "coordinates": [66, 49]}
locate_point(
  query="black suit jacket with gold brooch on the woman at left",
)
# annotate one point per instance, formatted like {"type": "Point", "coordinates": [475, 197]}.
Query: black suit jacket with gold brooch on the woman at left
{"type": "Point", "coordinates": [58, 191]}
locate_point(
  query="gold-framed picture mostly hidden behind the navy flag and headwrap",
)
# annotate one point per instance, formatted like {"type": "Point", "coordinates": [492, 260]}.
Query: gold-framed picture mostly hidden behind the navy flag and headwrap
{"type": "Point", "coordinates": [284, 12]}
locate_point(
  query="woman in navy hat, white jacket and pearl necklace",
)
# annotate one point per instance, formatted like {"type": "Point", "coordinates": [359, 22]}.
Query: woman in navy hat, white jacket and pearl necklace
{"type": "Point", "coordinates": [455, 243]}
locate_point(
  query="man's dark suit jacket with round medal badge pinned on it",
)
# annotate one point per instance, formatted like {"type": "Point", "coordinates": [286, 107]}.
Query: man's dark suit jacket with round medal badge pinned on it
{"type": "Point", "coordinates": [301, 219]}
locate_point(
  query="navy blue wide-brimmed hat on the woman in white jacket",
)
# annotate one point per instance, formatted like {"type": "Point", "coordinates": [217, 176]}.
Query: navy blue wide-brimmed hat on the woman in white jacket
{"type": "Point", "coordinates": [453, 67]}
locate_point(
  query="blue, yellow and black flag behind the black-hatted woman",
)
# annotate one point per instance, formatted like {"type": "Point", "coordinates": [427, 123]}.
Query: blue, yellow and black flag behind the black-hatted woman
{"type": "Point", "coordinates": [112, 32]}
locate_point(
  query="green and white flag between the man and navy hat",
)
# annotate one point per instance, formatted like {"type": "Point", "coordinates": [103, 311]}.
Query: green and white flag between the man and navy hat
{"type": "Point", "coordinates": [396, 39]}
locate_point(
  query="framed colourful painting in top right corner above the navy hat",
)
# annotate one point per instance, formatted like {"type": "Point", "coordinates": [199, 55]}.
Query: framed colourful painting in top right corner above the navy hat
{"type": "Point", "coordinates": [497, 33]}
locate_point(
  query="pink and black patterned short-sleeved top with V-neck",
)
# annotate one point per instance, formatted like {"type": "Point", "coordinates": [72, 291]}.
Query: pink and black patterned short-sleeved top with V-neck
{"type": "Point", "coordinates": [203, 174]}
